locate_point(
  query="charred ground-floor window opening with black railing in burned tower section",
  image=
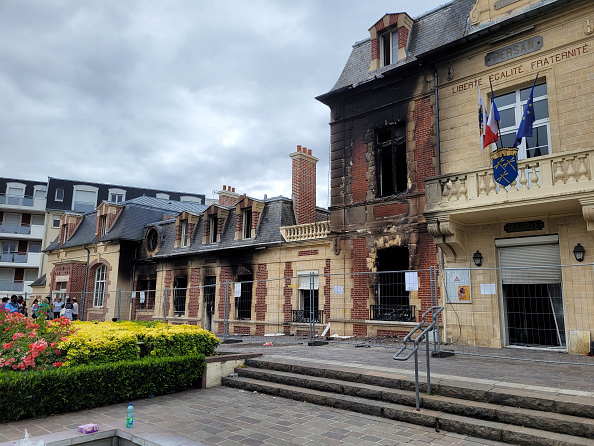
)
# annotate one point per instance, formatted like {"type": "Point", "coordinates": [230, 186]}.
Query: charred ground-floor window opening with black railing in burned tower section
{"type": "Point", "coordinates": [392, 299]}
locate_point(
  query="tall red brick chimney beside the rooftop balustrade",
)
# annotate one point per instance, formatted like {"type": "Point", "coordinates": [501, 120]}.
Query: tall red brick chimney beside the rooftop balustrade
{"type": "Point", "coordinates": [304, 185]}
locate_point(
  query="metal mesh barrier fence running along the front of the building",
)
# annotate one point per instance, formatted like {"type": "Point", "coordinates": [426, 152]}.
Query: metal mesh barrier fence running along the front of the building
{"type": "Point", "coordinates": [537, 313]}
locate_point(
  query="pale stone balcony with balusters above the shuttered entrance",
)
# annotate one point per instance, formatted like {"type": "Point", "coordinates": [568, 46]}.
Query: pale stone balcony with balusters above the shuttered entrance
{"type": "Point", "coordinates": [555, 181]}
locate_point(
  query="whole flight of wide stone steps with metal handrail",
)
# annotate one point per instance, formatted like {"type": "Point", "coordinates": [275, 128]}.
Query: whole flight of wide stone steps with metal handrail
{"type": "Point", "coordinates": [509, 415]}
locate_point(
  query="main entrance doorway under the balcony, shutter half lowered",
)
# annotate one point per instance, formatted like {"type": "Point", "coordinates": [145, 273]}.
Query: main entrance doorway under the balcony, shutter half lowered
{"type": "Point", "coordinates": [531, 287]}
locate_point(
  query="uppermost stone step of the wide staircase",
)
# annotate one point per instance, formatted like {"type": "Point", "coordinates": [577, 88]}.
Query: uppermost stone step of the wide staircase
{"type": "Point", "coordinates": [577, 406]}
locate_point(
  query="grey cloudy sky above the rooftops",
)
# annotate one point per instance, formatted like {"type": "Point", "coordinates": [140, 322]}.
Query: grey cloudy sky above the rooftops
{"type": "Point", "coordinates": [183, 95]}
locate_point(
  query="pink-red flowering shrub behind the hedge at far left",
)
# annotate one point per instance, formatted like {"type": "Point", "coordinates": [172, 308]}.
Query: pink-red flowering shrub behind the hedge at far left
{"type": "Point", "coordinates": [32, 343]}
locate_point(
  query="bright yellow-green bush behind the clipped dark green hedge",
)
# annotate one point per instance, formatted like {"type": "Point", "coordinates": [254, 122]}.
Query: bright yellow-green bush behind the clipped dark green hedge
{"type": "Point", "coordinates": [97, 343]}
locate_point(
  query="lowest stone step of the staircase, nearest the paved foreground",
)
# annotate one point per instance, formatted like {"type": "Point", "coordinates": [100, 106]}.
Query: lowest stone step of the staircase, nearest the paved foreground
{"type": "Point", "coordinates": [491, 430]}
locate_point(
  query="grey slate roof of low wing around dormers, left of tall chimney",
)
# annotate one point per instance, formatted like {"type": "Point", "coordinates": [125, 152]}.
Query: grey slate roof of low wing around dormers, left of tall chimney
{"type": "Point", "coordinates": [277, 212]}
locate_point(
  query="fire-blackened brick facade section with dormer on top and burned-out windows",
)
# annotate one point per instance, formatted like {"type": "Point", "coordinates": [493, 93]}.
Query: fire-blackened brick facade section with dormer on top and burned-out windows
{"type": "Point", "coordinates": [383, 146]}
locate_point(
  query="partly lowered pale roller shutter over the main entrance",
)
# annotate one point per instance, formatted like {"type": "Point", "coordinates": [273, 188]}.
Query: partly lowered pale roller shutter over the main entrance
{"type": "Point", "coordinates": [530, 264]}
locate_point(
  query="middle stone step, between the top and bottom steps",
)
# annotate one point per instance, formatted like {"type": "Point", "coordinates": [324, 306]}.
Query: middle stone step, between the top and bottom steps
{"type": "Point", "coordinates": [554, 422]}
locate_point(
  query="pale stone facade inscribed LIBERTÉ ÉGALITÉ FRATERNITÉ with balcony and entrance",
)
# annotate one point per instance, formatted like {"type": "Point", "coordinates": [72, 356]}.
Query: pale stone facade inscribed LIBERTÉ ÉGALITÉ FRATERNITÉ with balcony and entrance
{"type": "Point", "coordinates": [538, 222]}
